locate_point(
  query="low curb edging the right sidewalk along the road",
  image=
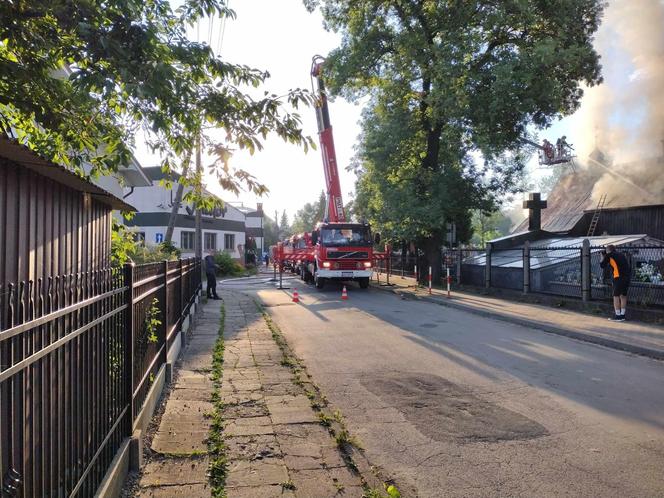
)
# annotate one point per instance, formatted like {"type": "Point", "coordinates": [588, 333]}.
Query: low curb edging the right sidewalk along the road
{"type": "Point", "coordinates": [656, 354]}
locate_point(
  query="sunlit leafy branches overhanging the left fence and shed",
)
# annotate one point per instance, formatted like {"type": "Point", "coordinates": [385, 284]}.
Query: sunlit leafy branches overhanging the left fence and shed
{"type": "Point", "coordinates": [78, 80]}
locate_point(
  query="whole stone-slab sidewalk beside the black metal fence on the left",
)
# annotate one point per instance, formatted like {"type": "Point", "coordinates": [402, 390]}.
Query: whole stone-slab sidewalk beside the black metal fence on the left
{"type": "Point", "coordinates": [275, 443]}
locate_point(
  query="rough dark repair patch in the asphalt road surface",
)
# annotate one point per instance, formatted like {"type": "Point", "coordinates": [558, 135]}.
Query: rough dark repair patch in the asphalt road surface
{"type": "Point", "coordinates": [445, 411]}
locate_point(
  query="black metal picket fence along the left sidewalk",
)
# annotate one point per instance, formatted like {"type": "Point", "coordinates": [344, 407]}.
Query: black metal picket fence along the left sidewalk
{"type": "Point", "coordinates": [78, 354]}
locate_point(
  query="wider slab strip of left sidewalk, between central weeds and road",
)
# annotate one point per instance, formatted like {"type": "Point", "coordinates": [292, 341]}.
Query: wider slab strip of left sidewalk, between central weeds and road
{"type": "Point", "coordinates": [276, 444]}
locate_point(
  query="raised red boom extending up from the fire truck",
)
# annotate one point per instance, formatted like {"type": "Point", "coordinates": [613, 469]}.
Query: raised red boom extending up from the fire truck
{"type": "Point", "coordinates": [334, 209]}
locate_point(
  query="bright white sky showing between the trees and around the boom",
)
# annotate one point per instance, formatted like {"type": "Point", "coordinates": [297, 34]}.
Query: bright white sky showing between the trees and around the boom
{"type": "Point", "coordinates": [281, 37]}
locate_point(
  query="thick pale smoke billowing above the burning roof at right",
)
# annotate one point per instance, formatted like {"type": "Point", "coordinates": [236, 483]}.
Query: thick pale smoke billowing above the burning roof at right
{"type": "Point", "coordinates": [624, 117]}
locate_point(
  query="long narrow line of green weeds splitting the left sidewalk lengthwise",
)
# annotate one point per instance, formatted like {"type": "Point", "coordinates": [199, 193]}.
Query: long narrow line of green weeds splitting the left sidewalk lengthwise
{"type": "Point", "coordinates": [218, 468]}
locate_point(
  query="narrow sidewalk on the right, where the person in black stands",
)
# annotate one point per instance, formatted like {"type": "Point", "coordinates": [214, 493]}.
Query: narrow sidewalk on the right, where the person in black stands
{"type": "Point", "coordinates": [633, 337]}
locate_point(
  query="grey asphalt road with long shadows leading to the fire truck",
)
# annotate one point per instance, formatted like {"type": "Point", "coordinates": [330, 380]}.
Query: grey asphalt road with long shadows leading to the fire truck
{"type": "Point", "coordinates": [454, 404]}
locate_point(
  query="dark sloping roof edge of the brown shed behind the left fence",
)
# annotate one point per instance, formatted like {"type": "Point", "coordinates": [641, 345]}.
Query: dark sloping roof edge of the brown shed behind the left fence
{"type": "Point", "coordinates": [18, 153]}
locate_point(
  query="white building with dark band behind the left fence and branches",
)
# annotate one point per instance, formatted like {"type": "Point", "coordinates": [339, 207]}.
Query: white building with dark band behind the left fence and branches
{"type": "Point", "coordinates": [224, 229]}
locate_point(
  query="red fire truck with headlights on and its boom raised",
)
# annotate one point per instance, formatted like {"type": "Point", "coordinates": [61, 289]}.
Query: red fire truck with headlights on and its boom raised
{"type": "Point", "coordinates": [336, 249]}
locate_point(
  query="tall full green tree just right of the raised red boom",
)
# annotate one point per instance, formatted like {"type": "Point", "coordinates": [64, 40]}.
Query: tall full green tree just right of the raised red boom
{"type": "Point", "coordinates": [449, 82]}
